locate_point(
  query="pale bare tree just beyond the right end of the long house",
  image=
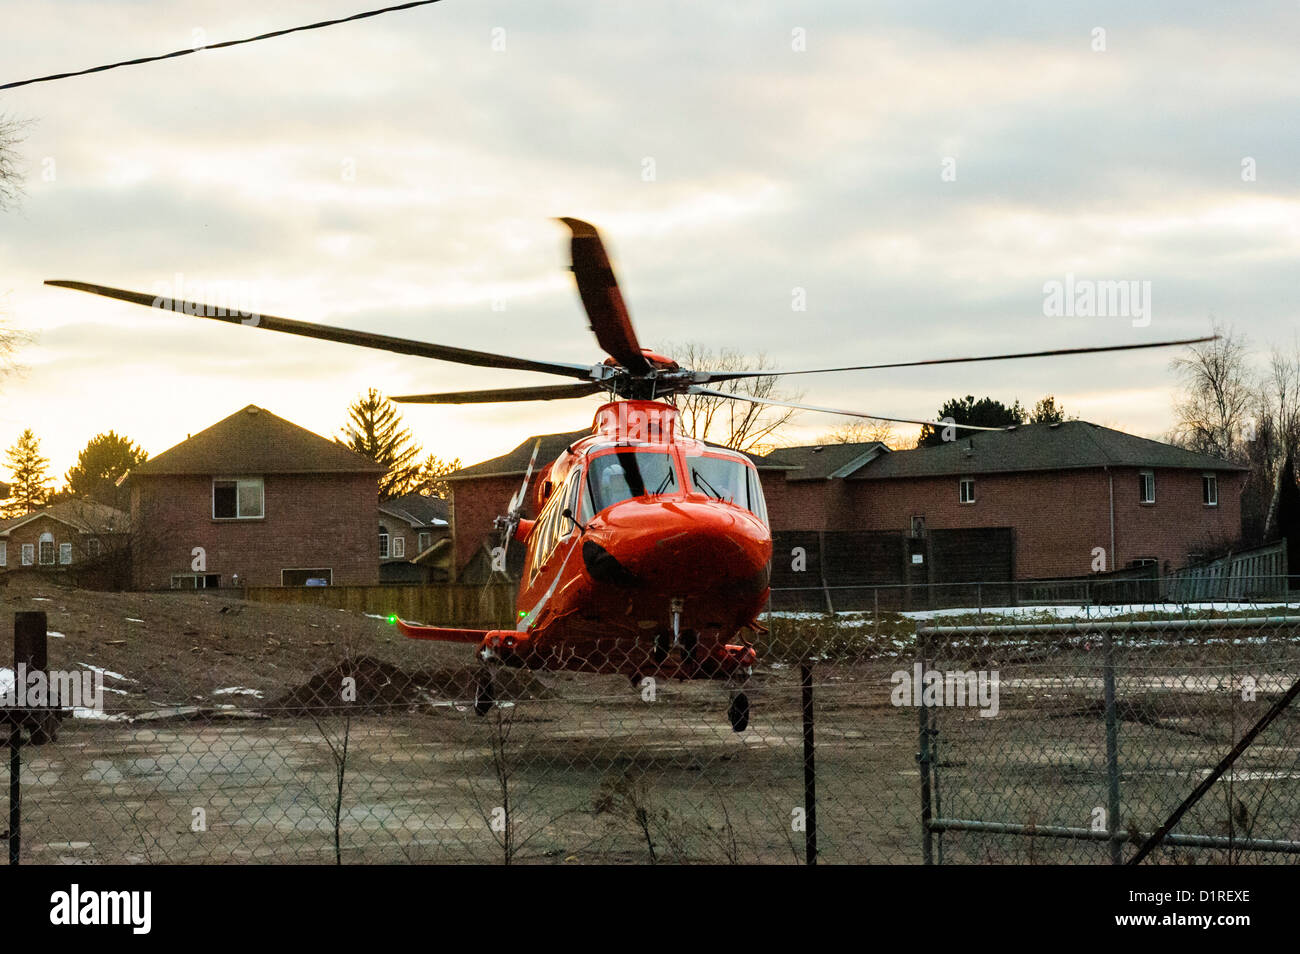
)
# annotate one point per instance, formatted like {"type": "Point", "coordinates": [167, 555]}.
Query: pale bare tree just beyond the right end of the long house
{"type": "Point", "coordinates": [1212, 413]}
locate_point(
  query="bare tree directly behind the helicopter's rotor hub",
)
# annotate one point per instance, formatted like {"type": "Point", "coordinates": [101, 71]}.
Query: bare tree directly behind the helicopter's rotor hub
{"type": "Point", "coordinates": [733, 423]}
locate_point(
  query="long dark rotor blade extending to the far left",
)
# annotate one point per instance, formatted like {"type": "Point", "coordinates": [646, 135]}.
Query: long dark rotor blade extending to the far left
{"type": "Point", "coordinates": [345, 336]}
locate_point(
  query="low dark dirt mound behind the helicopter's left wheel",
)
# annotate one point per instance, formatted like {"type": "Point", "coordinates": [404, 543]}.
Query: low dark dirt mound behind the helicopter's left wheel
{"type": "Point", "coordinates": [366, 684]}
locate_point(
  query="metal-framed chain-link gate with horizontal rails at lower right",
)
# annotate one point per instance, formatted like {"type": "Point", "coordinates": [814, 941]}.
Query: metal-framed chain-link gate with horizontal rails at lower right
{"type": "Point", "coordinates": [1106, 728]}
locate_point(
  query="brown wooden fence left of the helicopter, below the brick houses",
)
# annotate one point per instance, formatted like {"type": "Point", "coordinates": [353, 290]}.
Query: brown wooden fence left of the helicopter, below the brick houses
{"type": "Point", "coordinates": [489, 606]}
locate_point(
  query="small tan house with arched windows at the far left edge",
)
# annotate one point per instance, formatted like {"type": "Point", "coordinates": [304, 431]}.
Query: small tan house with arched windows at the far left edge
{"type": "Point", "coordinates": [70, 534]}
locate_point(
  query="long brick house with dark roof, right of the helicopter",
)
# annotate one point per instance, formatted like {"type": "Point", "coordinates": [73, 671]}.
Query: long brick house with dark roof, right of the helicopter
{"type": "Point", "coordinates": [1067, 493]}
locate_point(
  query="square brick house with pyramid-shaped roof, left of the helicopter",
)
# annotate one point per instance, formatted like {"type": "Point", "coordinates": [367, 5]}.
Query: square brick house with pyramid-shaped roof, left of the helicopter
{"type": "Point", "coordinates": [254, 501]}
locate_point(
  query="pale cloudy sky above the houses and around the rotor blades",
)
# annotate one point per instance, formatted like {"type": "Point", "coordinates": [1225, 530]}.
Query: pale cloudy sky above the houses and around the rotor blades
{"type": "Point", "coordinates": [920, 170]}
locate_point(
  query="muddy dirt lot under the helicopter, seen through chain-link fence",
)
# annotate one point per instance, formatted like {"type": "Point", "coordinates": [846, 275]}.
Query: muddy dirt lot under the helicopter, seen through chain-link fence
{"type": "Point", "coordinates": [233, 731]}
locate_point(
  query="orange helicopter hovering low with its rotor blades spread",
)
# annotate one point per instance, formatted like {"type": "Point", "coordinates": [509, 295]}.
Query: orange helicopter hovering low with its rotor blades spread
{"type": "Point", "coordinates": [651, 552]}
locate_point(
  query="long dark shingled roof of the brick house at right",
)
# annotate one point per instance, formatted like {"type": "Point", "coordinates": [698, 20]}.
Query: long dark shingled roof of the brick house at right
{"type": "Point", "coordinates": [1071, 445]}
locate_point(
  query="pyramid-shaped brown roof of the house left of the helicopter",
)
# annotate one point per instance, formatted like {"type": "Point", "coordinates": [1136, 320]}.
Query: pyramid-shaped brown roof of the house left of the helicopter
{"type": "Point", "coordinates": [257, 441]}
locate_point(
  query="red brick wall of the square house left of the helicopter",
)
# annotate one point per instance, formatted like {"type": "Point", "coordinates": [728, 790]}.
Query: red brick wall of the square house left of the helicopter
{"type": "Point", "coordinates": [313, 522]}
